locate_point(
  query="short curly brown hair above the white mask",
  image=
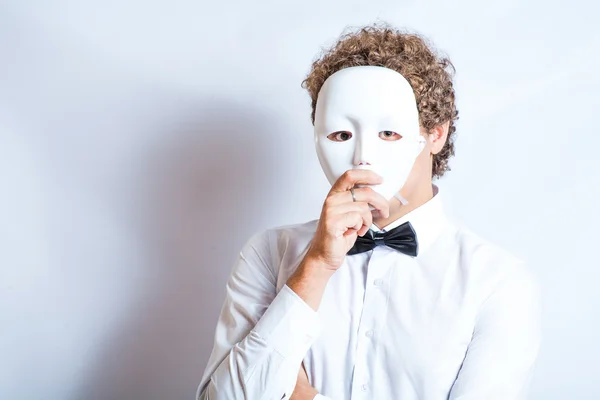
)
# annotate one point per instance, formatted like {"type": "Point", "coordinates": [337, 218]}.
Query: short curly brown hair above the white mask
{"type": "Point", "coordinates": [408, 53]}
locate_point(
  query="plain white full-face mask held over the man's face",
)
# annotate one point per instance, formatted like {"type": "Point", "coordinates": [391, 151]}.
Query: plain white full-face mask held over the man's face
{"type": "Point", "coordinates": [360, 113]}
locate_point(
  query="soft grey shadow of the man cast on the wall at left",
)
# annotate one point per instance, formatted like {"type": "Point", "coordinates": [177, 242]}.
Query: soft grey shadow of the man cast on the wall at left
{"type": "Point", "coordinates": [201, 201]}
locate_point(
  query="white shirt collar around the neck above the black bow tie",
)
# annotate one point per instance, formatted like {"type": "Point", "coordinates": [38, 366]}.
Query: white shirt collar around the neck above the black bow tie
{"type": "Point", "coordinates": [427, 220]}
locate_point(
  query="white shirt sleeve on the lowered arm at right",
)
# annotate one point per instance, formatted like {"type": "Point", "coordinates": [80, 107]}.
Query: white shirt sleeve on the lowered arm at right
{"type": "Point", "coordinates": [501, 356]}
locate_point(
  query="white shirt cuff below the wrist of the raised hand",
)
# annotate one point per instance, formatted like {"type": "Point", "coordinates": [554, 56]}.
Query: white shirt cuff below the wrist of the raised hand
{"type": "Point", "coordinates": [289, 325]}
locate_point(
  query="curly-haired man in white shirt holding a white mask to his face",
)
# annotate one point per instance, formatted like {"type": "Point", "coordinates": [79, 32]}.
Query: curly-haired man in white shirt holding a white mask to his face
{"type": "Point", "coordinates": [382, 297]}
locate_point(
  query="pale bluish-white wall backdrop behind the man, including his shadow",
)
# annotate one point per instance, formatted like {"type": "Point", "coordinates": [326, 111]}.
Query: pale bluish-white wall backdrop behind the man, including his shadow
{"type": "Point", "coordinates": [142, 142]}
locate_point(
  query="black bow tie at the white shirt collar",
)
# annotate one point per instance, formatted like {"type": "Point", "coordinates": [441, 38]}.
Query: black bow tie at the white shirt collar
{"type": "Point", "coordinates": [402, 238]}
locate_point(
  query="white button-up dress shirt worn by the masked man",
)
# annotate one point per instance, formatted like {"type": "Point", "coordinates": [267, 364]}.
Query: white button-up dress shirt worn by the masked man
{"type": "Point", "coordinates": [459, 321]}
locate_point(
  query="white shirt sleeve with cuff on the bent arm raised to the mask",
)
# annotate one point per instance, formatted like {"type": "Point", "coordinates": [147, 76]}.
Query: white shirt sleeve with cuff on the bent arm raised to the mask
{"type": "Point", "coordinates": [261, 336]}
